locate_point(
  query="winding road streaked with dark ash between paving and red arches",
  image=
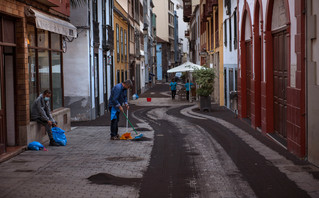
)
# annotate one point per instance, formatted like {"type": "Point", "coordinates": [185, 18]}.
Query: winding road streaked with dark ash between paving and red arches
{"type": "Point", "coordinates": [217, 155]}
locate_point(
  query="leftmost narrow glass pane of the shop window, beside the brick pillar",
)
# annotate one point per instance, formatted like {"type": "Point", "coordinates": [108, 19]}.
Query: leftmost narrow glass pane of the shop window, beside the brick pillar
{"type": "Point", "coordinates": [32, 76]}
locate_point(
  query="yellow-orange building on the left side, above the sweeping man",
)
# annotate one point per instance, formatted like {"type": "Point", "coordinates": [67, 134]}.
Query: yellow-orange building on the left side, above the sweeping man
{"type": "Point", "coordinates": [121, 43]}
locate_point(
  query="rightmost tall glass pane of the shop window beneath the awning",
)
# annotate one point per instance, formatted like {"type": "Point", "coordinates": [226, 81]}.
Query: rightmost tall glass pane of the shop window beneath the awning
{"type": "Point", "coordinates": [56, 80]}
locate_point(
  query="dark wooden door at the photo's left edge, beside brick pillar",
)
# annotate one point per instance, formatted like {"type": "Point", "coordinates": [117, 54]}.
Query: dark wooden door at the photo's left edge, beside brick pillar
{"type": "Point", "coordinates": [2, 105]}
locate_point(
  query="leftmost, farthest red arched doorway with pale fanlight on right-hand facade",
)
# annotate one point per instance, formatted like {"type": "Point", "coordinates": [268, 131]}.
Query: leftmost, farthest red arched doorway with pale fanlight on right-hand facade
{"type": "Point", "coordinates": [246, 64]}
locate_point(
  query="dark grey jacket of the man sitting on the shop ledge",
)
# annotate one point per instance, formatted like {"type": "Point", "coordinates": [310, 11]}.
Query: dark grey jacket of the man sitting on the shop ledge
{"type": "Point", "coordinates": [40, 109]}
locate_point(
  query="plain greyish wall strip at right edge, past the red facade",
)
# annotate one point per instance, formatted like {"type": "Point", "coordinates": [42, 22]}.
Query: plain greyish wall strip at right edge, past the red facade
{"type": "Point", "coordinates": [312, 76]}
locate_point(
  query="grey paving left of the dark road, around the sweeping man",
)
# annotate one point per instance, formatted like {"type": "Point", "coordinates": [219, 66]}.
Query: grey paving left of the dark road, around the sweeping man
{"type": "Point", "coordinates": [63, 171]}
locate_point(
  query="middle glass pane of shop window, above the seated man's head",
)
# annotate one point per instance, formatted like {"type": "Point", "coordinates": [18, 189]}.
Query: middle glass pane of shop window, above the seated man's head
{"type": "Point", "coordinates": [44, 72]}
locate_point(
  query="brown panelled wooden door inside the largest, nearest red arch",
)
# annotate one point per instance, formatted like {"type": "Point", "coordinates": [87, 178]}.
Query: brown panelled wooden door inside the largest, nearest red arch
{"type": "Point", "coordinates": [280, 78]}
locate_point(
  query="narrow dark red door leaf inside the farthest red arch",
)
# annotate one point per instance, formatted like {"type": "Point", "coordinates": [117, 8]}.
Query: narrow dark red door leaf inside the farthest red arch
{"type": "Point", "coordinates": [248, 78]}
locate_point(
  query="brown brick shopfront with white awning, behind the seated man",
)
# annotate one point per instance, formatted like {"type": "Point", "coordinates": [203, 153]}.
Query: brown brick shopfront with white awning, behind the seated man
{"type": "Point", "coordinates": [31, 54]}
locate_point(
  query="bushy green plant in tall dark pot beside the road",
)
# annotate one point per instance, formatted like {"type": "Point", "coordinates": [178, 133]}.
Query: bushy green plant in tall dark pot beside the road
{"type": "Point", "coordinates": [205, 81]}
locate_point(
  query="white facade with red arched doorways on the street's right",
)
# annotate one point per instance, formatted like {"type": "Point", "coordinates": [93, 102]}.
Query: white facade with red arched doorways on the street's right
{"type": "Point", "coordinates": [271, 80]}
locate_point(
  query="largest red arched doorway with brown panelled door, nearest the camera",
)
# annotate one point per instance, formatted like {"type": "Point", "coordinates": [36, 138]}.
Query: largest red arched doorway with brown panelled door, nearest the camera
{"type": "Point", "coordinates": [277, 63]}
